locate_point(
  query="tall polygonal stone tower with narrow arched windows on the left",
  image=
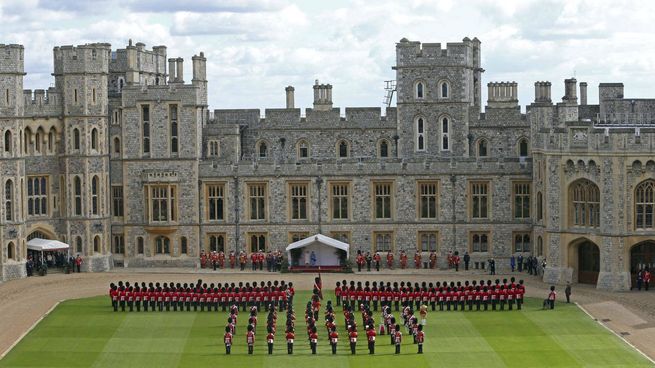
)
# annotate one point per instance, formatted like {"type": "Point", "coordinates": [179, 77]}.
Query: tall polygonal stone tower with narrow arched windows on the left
{"type": "Point", "coordinates": [81, 78]}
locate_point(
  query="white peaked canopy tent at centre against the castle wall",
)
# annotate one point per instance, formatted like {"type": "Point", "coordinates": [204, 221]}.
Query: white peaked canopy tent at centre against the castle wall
{"type": "Point", "coordinates": [323, 247]}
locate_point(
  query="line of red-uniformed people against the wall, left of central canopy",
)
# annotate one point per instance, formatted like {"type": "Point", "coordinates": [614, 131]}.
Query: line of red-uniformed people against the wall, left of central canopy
{"type": "Point", "coordinates": [217, 260]}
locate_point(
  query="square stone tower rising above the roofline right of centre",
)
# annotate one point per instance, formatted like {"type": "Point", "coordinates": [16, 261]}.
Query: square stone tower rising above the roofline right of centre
{"type": "Point", "coordinates": [438, 90]}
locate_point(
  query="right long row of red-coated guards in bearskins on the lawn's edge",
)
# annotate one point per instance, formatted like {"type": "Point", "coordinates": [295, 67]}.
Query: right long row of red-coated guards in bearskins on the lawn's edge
{"type": "Point", "coordinates": [481, 295]}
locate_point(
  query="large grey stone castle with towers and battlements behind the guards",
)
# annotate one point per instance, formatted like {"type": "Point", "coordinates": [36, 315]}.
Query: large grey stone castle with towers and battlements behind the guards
{"type": "Point", "coordinates": [123, 160]}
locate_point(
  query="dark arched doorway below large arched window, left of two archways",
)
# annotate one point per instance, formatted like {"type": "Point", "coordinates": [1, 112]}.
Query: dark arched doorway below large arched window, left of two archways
{"type": "Point", "coordinates": [584, 259]}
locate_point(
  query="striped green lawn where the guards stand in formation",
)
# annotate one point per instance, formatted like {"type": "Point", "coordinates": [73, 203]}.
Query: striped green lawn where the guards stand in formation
{"type": "Point", "coordinates": [87, 333]}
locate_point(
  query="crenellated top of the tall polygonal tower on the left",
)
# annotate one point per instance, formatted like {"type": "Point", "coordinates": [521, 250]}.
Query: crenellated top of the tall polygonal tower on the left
{"type": "Point", "coordinates": [87, 58]}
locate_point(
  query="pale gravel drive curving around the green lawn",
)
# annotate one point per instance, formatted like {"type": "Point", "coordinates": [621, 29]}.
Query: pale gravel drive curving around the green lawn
{"type": "Point", "coordinates": [23, 302]}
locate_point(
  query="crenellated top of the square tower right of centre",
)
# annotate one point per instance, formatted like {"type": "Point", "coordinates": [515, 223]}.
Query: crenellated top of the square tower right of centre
{"type": "Point", "coordinates": [415, 53]}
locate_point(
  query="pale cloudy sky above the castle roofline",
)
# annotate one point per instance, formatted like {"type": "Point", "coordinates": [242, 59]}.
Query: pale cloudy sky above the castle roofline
{"type": "Point", "coordinates": [257, 47]}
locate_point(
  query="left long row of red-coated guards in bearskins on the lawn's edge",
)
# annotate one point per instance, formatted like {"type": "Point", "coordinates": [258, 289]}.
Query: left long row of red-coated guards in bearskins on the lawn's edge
{"type": "Point", "coordinates": [200, 296]}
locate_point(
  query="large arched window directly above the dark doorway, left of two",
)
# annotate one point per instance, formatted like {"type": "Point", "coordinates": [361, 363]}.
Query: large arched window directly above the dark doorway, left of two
{"type": "Point", "coordinates": [584, 203]}
